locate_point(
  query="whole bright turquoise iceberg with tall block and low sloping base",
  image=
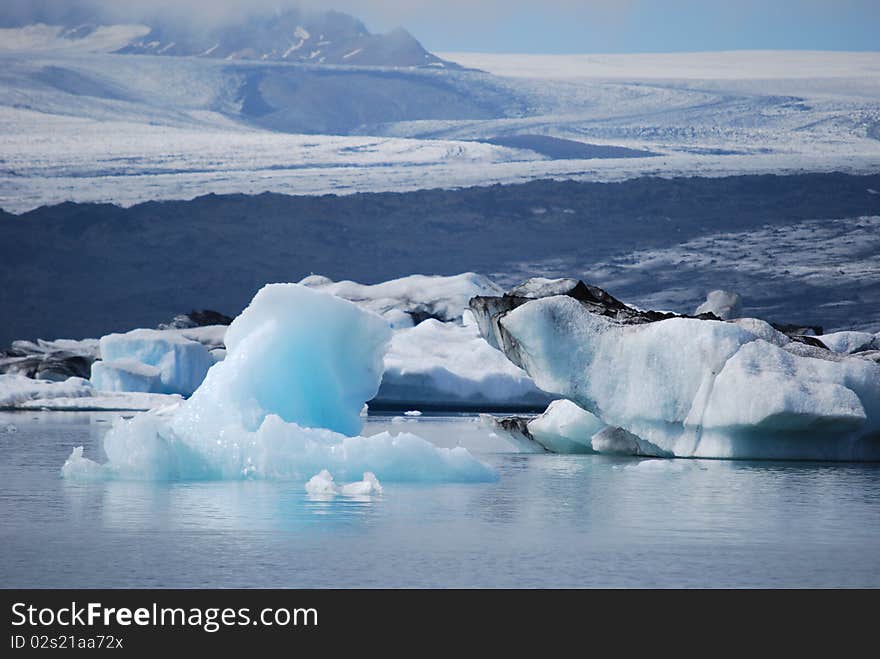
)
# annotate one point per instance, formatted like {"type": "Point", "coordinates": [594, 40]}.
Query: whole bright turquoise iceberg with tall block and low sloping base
{"type": "Point", "coordinates": [285, 404]}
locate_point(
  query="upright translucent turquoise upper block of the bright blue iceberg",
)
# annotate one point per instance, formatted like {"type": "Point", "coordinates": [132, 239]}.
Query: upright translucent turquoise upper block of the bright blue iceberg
{"type": "Point", "coordinates": [305, 356]}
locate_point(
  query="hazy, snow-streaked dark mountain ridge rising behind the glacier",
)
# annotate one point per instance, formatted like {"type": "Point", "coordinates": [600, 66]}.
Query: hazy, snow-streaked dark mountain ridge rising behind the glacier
{"type": "Point", "coordinates": [263, 32]}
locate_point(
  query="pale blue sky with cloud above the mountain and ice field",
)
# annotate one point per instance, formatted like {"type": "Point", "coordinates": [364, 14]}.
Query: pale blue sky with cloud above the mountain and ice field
{"type": "Point", "coordinates": [566, 26]}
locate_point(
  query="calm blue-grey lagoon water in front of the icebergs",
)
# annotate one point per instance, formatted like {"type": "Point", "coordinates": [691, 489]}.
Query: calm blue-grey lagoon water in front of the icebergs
{"type": "Point", "coordinates": [549, 521]}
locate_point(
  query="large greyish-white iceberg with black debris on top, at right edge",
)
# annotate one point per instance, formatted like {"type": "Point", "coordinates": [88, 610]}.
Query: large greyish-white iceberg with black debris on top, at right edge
{"type": "Point", "coordinates": [692, 387]}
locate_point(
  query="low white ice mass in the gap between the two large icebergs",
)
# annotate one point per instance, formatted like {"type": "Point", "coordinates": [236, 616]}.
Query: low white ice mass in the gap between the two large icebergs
{"type": "Point", "coordinates": [445, 364]}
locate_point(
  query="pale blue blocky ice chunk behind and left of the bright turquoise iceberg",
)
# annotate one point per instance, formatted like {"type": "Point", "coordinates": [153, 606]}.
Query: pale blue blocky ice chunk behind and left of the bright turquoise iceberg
{"type": "Point", "coordinates": [182, 362]}
